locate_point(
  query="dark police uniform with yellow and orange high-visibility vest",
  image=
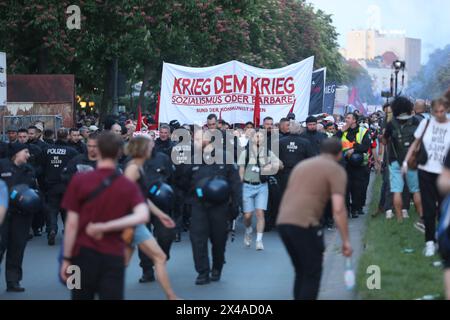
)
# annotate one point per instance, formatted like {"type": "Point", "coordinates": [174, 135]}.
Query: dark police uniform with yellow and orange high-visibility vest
{"type": "Point", "coordinates": [357, 139]}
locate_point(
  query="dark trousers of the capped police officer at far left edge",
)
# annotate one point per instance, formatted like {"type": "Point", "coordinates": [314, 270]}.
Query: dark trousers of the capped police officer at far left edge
{"type": "Point", "coordinates": [14, 237]}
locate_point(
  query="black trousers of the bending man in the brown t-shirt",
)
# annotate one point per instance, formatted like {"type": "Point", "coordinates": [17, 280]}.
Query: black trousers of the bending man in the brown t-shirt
{"type": "Point", "coordinates": [305, 247]}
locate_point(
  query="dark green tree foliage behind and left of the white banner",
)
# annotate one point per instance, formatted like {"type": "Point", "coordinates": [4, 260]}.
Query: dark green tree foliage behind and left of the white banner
{"type": "Point", "coordinates": [143, 34]}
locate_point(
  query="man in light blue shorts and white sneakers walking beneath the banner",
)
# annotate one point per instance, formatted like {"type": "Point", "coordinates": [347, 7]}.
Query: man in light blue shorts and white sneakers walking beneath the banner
{"type": "Point", "coordinates": [256, 163]}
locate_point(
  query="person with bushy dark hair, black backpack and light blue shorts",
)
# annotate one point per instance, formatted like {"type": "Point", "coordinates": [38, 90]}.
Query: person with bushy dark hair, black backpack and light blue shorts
{"type": "Point", "coordinates": [398, 136]}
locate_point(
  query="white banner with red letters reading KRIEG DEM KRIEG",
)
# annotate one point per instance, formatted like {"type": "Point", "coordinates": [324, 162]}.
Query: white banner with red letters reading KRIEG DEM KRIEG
{"type": "Point", "coordinates": [189, 95]}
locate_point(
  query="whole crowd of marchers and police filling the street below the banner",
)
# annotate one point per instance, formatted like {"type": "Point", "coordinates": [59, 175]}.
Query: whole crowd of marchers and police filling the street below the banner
{"type": "Point", "coordinates": [207, 195]}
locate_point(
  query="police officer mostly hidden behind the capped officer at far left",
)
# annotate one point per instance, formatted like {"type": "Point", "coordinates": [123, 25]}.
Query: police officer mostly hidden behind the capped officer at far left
{"type": "Point", "coordinates": [35, 161]}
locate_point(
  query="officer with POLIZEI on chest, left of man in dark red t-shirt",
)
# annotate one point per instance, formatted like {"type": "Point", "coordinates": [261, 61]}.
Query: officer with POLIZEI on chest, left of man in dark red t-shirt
{"type": "Point", "coordinates": [55, 160]}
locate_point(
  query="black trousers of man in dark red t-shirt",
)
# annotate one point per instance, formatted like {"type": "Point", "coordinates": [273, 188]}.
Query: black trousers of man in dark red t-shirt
{"type": "Point", "coordinates": [101, 274]}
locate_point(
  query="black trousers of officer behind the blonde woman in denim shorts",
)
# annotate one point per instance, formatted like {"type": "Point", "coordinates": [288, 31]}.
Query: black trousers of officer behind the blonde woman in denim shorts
{"type": "Point", "coordinates": [164, 236]}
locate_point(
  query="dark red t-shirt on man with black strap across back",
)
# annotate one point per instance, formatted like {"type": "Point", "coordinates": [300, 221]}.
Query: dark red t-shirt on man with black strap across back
{"type": "Point", "coordinates": [116, 201]}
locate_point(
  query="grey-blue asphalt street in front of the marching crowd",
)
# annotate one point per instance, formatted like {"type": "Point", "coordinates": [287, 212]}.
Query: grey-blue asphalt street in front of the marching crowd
{"type": "Point", "coordinates": [248, 274]}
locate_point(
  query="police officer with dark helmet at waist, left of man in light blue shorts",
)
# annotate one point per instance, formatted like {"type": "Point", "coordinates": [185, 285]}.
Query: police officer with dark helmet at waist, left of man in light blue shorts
{"type": "Point", "coordinates": [209, 219]}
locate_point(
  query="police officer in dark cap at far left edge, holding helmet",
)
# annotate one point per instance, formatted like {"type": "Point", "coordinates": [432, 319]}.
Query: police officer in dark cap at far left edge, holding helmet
{"type": "Point", "coordinates": [15, 229]}
